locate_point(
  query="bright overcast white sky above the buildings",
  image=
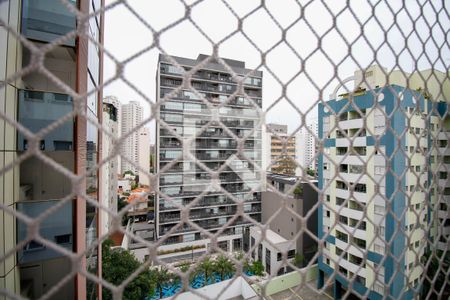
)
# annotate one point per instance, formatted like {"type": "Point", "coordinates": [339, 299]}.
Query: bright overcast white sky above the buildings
{"type": "Point", "coordinates": [322, 45]}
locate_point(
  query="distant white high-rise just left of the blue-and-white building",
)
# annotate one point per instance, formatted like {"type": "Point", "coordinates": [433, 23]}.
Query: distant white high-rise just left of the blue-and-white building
{"type": "Point", "coordinates": [306, 146]}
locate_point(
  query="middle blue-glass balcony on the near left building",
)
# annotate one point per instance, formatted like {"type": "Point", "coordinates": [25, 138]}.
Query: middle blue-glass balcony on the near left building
{"type": "Point", "coordinates": [37, 110]}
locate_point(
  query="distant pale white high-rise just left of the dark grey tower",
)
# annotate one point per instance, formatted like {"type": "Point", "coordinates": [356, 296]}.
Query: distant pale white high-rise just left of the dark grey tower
{"type": "Point", "coordinates": [131, 116]}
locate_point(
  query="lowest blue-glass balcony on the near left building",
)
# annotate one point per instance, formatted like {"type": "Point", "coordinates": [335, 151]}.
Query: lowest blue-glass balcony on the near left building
{"type": "Point", "coordinates": [56, 228]}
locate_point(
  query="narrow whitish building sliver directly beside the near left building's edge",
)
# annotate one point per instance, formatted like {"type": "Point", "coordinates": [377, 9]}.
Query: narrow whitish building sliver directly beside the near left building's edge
{"type": "Point", "coordinates": [110, 169]}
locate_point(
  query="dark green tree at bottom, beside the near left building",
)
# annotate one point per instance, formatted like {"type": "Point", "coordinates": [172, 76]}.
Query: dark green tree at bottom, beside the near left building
{"type": "Point", "coordinates": [118, 265]}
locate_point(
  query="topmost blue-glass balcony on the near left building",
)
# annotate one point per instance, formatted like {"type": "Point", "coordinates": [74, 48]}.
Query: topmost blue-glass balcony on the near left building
{"type": "Point", "coordinates": [47, 20]}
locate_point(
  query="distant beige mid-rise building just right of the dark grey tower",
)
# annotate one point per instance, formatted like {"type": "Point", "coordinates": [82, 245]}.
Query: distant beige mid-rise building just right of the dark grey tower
{"type": "Point", "coordinates": [282, 154]}
